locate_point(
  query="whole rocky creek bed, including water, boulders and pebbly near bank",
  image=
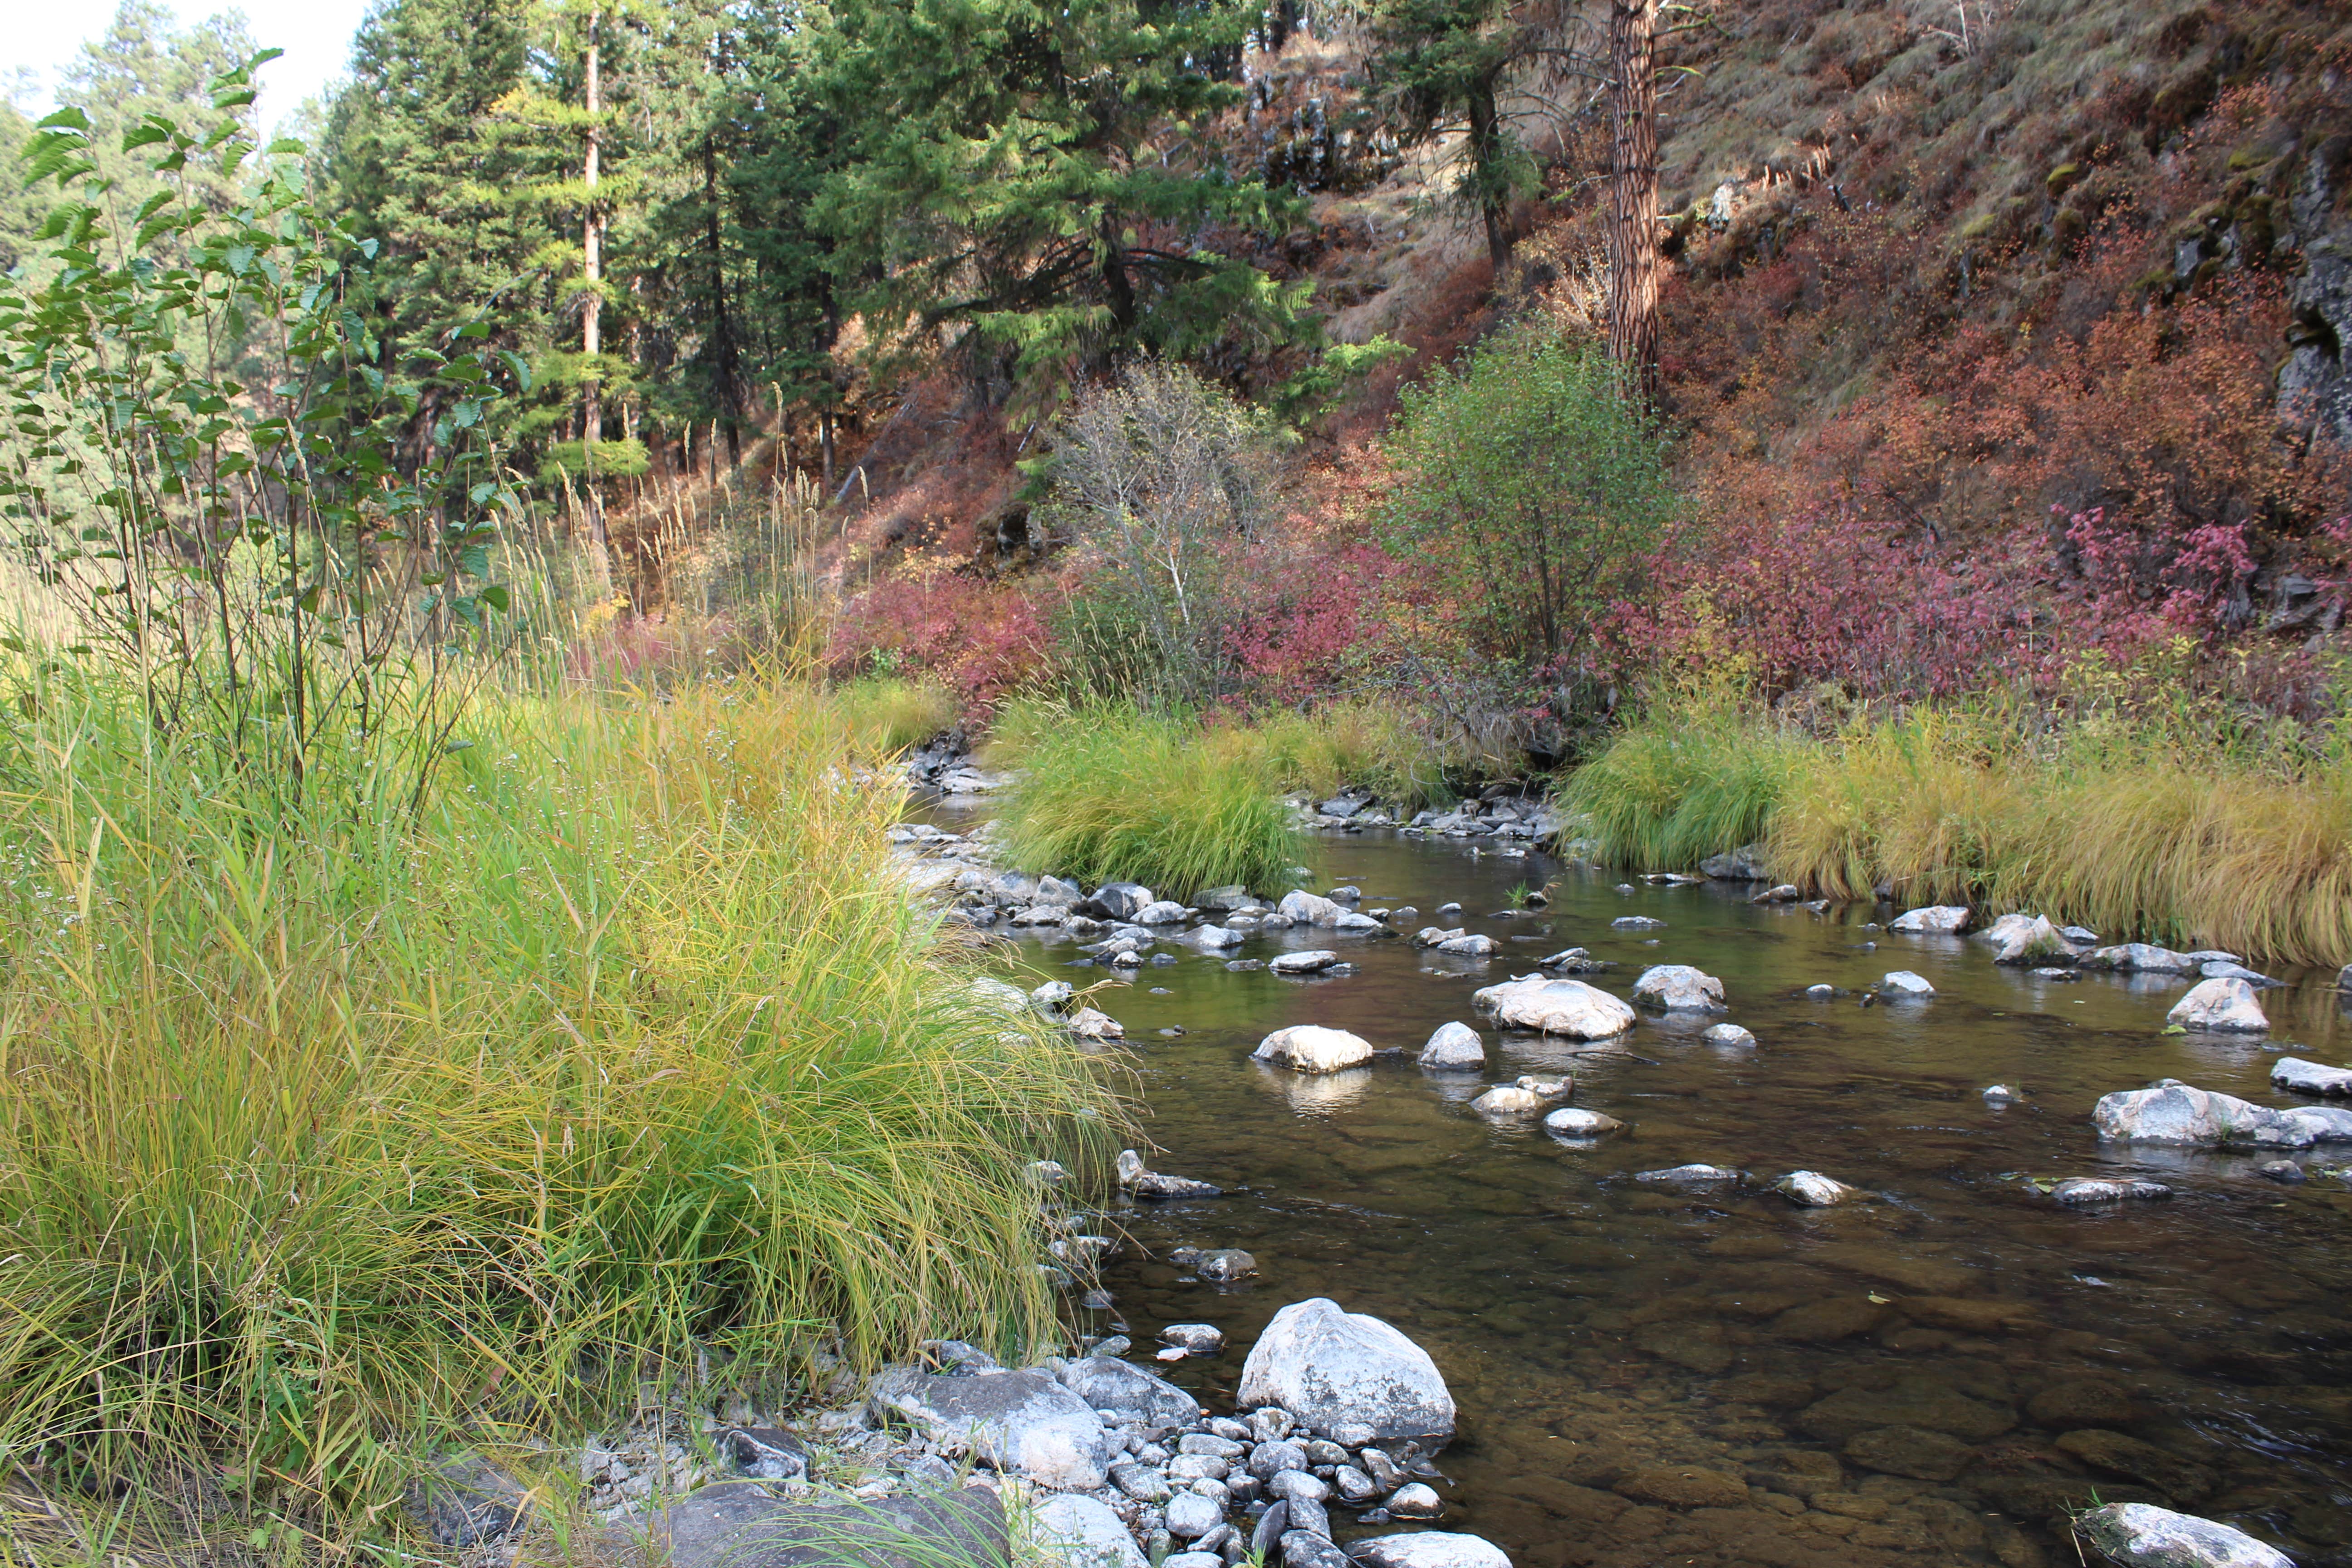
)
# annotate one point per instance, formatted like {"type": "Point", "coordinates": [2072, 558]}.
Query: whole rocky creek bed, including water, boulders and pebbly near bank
{"type": "Point", "coordinates": [1666, 1224]}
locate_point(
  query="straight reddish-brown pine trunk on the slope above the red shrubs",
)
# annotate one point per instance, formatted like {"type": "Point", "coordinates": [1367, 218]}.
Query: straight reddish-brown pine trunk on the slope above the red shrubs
{"type": "Point", "coordinates": [1633, 192]}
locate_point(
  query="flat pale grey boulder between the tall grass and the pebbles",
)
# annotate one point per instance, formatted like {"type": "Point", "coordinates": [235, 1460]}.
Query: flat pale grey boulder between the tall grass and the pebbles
{"type": "Point", "coordinates": [1024, 1423]}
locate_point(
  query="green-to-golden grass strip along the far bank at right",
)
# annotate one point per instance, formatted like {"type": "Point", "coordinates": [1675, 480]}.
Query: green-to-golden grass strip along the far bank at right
{"type": "Point", "coordinates": [2132, 831]}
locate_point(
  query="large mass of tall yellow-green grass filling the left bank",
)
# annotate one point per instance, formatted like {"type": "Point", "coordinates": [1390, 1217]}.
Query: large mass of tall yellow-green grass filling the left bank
{"type": "Point", "coordinates": [328, 1134]}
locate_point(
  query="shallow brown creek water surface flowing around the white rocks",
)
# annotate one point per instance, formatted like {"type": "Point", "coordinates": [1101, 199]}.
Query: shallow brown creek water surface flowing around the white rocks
{"type": "Point", "coordinates": [1652, 1376]}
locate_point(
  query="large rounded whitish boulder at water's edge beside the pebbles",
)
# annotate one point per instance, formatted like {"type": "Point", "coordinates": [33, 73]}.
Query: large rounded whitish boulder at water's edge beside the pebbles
{"type": "Point", "coordinates": [1332, 1367]}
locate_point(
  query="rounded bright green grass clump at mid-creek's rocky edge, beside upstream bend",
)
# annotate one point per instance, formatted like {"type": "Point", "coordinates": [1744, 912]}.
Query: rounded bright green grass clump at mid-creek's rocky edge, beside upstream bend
{"type": "Point", "coordinates": [1118, 796]}
